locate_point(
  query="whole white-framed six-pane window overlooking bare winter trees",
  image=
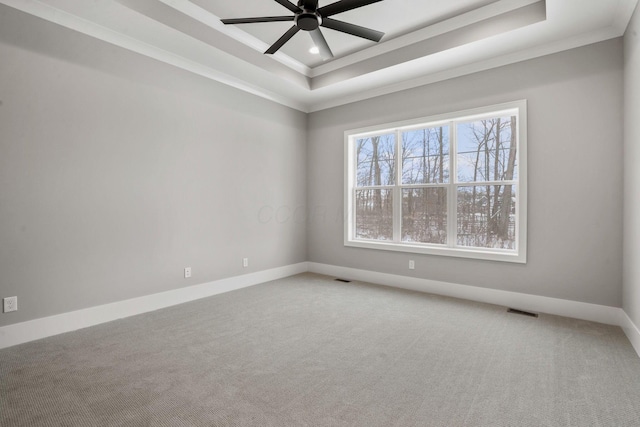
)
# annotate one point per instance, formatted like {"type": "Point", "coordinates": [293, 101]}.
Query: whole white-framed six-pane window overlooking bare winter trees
{"type": "Point", "coordinates": [449, 185]}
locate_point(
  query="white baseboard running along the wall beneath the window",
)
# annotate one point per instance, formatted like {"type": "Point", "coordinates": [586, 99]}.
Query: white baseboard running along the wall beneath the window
{"type": "Point", "coordinates": [535, 303]}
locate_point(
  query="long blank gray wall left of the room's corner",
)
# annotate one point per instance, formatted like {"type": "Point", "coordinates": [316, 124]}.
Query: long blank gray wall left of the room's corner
{"type": "Point", "coordinates": [117, 171]}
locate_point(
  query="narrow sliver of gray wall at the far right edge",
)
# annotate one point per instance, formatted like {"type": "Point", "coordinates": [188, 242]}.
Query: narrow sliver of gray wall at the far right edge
{"type": "Point", "coordinates": [632, 171]}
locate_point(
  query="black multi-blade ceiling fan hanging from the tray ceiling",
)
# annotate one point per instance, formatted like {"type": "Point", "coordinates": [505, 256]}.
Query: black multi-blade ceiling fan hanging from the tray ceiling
{"type": "Point", "coordinates": [309, 17]}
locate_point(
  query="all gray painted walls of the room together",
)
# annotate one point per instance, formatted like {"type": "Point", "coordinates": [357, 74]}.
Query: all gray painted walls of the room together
{"type": "Point", "coordinates": [117, 171]}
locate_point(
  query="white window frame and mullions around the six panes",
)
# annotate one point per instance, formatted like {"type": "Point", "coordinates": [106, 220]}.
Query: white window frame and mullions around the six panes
{"type": "Point", "coordinates": [518, 255]}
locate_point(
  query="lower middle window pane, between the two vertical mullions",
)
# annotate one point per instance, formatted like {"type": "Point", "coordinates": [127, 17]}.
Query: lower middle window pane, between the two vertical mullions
{"type": "Point", "coordinates": [424, 215]}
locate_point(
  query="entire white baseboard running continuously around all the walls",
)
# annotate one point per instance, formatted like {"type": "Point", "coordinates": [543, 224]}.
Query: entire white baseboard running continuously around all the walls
{"type": "Point", "coordinates": [53, 325]}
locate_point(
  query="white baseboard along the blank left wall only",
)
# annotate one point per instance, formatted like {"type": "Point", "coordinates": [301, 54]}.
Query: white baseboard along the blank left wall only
{"type": "Point", "coordinates": [53, 325]}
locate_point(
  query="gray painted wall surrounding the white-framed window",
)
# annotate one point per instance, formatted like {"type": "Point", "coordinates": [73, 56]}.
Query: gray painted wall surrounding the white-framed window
{"type": "Point", "coordinates": [575, 108]}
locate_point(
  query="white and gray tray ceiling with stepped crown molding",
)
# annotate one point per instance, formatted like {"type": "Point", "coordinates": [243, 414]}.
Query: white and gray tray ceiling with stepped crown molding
{"type": "Point", "coordinates": [425, 40]}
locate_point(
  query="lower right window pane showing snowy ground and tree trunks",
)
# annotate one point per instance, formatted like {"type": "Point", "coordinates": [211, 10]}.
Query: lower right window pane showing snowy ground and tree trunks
{"type": "Point", "coordinates": [486, 216]}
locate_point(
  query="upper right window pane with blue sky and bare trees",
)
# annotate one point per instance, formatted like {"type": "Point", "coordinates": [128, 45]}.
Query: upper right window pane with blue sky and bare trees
{"type": "Point", "coordinates": [487, 150]}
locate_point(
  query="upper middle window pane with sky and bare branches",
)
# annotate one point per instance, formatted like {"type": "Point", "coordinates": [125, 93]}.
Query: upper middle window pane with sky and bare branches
{"type": "Point", "coordinates": [425, 156]}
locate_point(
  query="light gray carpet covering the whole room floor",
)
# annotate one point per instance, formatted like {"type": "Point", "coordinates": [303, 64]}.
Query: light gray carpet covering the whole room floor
{"type": "Point", "coordinates": [309, 351]}
